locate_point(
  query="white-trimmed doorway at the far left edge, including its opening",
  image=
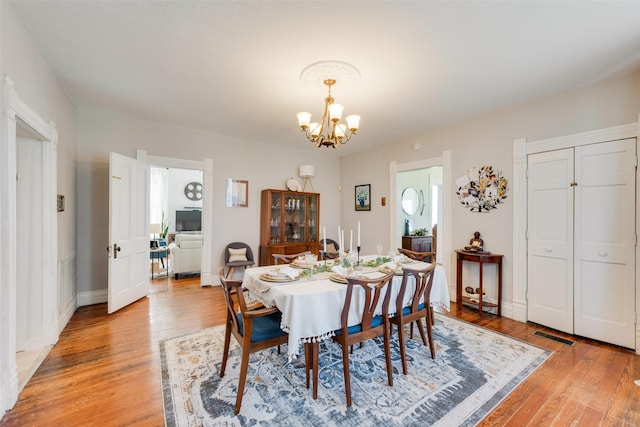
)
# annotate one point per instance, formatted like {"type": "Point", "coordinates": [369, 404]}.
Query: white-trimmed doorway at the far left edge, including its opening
{"type": "Point", "coordinates": [39, 330]}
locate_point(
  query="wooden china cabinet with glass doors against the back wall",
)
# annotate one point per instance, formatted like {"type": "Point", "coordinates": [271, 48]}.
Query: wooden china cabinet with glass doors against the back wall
{"type": "Point", "coordinates": [289, 223]}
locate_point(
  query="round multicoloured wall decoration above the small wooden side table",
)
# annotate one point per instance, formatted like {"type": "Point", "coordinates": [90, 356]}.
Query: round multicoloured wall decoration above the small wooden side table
{"type": "Point", "coordinates": [482, 189]}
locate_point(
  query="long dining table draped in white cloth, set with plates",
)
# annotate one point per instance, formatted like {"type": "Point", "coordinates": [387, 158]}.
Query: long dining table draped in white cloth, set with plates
{"type": "Point", "coordinates": [311, 304]}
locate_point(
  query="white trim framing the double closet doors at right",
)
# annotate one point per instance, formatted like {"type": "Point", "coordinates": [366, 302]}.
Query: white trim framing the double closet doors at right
{"type": "Point", "coordinates": [521, 149]}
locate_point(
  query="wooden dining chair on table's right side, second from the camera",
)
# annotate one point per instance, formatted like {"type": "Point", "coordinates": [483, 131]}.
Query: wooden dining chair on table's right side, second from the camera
{"type": "Point", "coordinates": [418, 307]}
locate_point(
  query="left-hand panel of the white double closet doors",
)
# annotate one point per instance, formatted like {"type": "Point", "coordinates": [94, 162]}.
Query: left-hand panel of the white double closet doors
{"type": "Point", "coordinates": [550, 231]}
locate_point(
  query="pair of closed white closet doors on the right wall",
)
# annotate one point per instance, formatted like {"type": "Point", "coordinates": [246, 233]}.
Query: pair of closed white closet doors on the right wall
{"type": "Point", "coordinates": [582, 237]}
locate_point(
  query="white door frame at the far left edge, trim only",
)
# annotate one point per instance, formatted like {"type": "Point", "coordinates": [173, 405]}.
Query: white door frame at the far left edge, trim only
{"type": "Point", "coordinates": [17, 112]}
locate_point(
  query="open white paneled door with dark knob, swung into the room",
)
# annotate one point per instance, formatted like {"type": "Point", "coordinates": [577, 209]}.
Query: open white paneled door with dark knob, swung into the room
{"type": "Point", "coordinates": [128, 231]}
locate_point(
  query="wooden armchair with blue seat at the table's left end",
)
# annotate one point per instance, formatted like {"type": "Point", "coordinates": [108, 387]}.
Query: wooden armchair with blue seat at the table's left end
{"type": "Point", "coordinates": [254, 329]}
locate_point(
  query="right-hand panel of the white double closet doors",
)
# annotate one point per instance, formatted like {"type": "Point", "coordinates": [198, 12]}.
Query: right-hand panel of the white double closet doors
{"type": "Point", "coordinates": [605, 242]}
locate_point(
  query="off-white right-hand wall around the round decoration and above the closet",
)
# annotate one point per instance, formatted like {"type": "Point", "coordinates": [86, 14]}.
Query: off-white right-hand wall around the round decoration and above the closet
{"type": "Point", "coordinates": [487, 140]}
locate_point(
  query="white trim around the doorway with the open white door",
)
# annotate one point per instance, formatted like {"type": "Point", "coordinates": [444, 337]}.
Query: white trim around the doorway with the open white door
{"type": "Point", "coordinates": [207, 276]}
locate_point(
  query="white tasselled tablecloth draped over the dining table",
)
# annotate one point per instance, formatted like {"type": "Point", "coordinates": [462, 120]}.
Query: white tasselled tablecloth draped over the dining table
{"type": "Point", "coordinates": [311, 307]}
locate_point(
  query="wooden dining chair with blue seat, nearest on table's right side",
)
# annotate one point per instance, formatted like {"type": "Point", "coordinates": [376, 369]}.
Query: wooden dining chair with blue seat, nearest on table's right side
{"type": "Point", "coordinates": [371, 326]}
